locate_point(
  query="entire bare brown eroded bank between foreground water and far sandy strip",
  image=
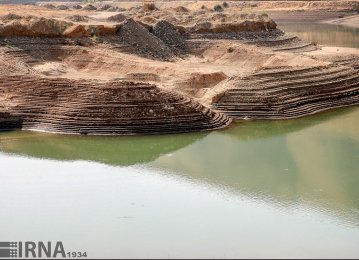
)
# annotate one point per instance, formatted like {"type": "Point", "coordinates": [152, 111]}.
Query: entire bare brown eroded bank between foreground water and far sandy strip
{"type": "Point", "coordinates": [107, 70]}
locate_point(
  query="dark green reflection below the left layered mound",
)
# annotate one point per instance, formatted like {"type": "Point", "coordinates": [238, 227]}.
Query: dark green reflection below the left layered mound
{"type": "Point", "coordinates": [126, 150]}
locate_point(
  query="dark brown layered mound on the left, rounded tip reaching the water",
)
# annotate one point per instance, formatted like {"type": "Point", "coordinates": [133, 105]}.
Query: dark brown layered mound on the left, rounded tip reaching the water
{"type": "Point", "coordinates": [99, 108]}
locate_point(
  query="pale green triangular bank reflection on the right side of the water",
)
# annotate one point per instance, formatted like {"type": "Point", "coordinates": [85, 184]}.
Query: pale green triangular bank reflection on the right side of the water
{"type": "Point", "coordinates": [311, 160]}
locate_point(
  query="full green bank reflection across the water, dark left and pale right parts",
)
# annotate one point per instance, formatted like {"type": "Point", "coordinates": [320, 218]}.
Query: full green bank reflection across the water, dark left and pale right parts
{"type": "Point", "coordinates": [312, 160]}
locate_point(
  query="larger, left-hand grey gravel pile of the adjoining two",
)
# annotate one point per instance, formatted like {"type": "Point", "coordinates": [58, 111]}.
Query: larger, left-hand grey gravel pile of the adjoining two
{"type": "Point", "coordinates": [140, 41]}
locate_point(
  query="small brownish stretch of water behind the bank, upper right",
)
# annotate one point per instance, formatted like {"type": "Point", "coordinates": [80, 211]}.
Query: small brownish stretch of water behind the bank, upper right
{"type": "Point", "coordinates": [324, 34]}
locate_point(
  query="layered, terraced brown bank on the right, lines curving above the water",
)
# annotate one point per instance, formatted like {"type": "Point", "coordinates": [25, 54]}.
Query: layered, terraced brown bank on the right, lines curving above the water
{"type": "Point", "coordinates": [279, 94]}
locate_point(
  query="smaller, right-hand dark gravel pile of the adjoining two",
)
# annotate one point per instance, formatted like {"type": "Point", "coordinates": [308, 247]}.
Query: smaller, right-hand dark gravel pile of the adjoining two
{"type": "Point", "coordinates": [170, 36]}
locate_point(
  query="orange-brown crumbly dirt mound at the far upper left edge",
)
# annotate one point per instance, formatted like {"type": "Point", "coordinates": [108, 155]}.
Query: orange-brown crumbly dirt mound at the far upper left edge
{"type": "Point", "coordinates": [34, 27]}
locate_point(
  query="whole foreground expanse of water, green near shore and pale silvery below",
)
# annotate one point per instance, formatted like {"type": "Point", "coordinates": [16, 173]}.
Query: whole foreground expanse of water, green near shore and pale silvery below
{"type": "Point", "coordinates": [258, 189]}
